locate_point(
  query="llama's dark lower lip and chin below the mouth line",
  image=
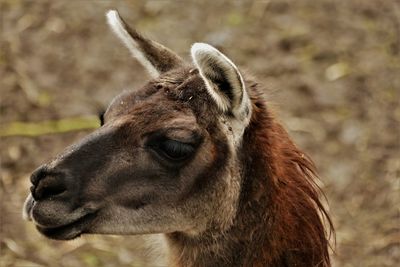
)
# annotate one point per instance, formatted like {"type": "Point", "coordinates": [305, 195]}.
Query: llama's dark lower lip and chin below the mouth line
{"type": "Point", "coordinates": [68, 231]}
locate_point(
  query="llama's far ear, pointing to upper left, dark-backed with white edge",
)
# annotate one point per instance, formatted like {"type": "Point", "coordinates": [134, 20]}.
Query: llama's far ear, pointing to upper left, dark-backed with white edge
{"type": "Point", "coordinates": [153, 56]}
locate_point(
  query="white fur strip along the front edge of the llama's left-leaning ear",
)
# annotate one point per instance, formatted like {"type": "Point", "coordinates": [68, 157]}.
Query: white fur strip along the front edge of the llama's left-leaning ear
{"type": "Point", "coordinates": [120, 29]}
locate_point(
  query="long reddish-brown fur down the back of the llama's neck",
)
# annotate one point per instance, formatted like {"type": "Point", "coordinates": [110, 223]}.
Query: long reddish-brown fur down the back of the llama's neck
{"type": "Point", "coordinates": [295, 235]}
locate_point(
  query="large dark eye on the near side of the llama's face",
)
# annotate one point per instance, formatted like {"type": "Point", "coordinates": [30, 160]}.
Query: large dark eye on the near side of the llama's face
{"type": "Point", "coordinates": [175, 150]}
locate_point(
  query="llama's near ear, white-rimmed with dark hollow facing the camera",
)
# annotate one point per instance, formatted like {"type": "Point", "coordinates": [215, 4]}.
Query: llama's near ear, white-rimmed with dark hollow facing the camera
{"type": "Point", "coordinates": [222, 79]}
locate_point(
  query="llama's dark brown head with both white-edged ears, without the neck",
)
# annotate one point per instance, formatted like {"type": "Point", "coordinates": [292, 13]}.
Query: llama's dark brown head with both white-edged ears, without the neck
{"type": "Point", "coordinates": [165, 159]}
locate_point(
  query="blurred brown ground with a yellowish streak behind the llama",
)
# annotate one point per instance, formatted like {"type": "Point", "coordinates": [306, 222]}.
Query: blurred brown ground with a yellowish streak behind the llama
{"type": "Point", "coordinates": [332, 69]}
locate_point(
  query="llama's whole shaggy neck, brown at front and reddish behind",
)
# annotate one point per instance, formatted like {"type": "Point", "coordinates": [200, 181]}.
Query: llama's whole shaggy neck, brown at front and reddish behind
{"type": "Point", "coordinates": [278, 222]}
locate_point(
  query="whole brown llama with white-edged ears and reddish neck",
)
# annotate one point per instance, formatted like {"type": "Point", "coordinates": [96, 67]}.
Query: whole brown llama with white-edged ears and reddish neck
{"type": "Point", "coordinates": [195, 155]}
